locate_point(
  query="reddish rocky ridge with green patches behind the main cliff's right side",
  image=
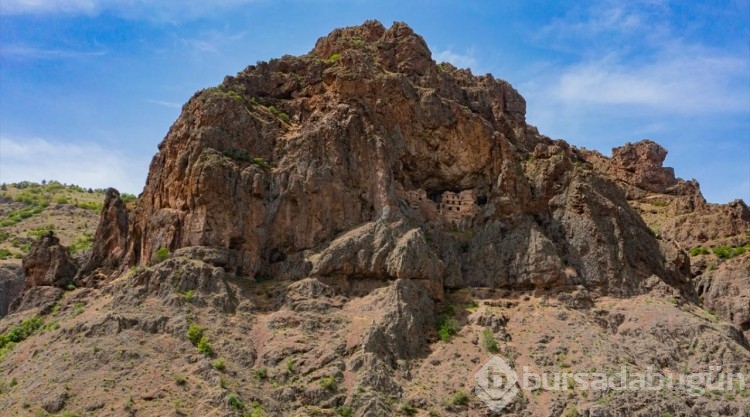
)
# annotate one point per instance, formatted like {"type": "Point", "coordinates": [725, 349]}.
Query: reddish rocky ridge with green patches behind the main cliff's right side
{"type": "Point", "coordinates": [679, 216]}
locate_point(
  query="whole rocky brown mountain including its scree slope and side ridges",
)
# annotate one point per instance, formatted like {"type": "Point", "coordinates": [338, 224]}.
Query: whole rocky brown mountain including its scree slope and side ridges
{"type": "Point", "coordinates": [356, 231]}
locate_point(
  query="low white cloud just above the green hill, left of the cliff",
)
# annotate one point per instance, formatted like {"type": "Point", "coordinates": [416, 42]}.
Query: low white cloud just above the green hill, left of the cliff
{"type": "Point", "coordinates": [87, 164]}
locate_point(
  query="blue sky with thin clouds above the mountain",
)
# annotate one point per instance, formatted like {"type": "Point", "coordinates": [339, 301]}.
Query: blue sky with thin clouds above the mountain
{"type": "Point", "coordinates": [88, 88]}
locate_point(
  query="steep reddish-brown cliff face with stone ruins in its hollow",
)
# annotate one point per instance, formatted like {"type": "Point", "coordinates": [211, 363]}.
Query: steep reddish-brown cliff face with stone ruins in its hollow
{"type": "Point", "coordinates": [365, 143]}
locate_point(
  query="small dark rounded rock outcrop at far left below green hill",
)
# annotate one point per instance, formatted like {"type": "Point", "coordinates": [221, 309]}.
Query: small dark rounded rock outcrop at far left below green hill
{"type": "Point", "coordinates": [49, 263]}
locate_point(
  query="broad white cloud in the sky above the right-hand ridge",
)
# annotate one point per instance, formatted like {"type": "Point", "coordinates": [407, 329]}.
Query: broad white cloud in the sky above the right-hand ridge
{"type": "Point", "coordinates": [686, 83]}
